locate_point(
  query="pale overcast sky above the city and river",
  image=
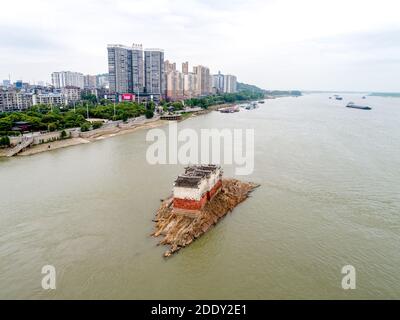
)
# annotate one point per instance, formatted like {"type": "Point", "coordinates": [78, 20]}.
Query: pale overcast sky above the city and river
{"type": "Point", "coordinates": [285, 44]}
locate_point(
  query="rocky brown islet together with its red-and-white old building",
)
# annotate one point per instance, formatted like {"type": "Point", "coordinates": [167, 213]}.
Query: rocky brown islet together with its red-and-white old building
{"type": "Point", "coordinates": [200, 199]}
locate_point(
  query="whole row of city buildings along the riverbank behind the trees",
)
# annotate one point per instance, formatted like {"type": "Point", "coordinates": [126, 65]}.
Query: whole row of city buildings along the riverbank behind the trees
{"type": "Point", "coordinates": [133, 72]}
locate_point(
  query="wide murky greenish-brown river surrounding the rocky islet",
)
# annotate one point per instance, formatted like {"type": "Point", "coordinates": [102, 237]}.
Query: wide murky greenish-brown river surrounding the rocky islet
{"type": "Point", "coordinates": [329, 197]}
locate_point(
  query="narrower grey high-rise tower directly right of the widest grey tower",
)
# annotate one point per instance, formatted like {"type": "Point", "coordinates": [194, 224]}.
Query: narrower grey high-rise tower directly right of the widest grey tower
{"type": "Point", "coordinates": [154, 73]}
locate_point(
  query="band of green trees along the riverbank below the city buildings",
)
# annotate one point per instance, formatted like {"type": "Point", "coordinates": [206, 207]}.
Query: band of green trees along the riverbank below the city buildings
{"type": "Point", "coordinates": [52, 118]}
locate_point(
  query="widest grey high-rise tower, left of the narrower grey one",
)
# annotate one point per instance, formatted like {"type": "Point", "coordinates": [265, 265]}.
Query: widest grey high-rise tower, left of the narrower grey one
{"type": "Point", "coordinates": [125, 66]}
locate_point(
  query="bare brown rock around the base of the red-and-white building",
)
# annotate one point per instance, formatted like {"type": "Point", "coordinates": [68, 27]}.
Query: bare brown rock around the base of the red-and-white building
{"type": "Point", "coordinates": [178, 229]}
